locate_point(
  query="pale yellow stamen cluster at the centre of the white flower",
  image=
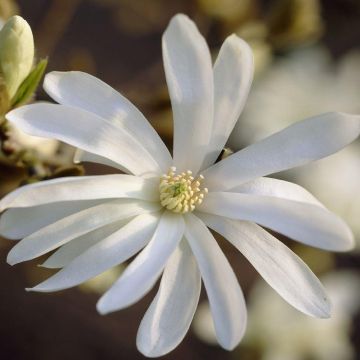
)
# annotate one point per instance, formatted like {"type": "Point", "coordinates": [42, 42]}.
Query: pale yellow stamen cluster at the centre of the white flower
{"type": "Point", "coordinates": [181, 193]}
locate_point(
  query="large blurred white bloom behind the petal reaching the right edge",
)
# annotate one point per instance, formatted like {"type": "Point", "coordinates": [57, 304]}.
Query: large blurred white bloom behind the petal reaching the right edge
{"type": "Point", "coordinates": [304, 83]}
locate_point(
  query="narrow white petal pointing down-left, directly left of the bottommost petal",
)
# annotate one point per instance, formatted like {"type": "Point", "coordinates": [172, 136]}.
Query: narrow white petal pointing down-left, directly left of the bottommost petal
{"type": "Point", "coordinates": [141, 275]}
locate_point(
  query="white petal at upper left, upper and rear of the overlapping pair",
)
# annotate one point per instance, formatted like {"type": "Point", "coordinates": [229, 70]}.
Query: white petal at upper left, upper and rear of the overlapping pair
{"type": "Point", "coordinates": [78, 89]}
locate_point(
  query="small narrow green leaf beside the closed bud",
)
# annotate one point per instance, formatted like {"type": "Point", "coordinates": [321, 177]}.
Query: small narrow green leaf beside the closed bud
{"type": "Point", "coordinates": [29, 85]}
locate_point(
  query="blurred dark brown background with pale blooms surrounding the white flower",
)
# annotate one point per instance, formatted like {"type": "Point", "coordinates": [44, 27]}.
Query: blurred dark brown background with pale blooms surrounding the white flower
{"type": "Point", "coordinates": [307, 57]}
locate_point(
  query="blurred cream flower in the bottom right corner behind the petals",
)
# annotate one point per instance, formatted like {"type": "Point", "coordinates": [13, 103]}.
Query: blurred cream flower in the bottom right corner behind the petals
{"type": "Point", "coordinates": [280, 333]}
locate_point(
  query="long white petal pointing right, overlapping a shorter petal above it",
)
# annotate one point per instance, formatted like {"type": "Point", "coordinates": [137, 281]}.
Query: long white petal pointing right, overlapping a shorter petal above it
{"type": "Point", "coordinates": [307, 223]}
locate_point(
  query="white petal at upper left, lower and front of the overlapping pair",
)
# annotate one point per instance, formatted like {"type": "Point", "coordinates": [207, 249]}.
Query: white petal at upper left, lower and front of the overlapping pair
{"type": "Point", "coordinates": [86, 131]}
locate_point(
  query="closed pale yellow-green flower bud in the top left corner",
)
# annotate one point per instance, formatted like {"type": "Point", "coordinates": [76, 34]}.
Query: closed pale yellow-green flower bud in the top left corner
{"type": "Point", "coordinates": [16, 53]}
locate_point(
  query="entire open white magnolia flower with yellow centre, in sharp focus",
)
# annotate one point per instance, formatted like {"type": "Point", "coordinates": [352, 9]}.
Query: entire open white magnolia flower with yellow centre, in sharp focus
{"type": "Point", "coordinates": [97, 222]}
